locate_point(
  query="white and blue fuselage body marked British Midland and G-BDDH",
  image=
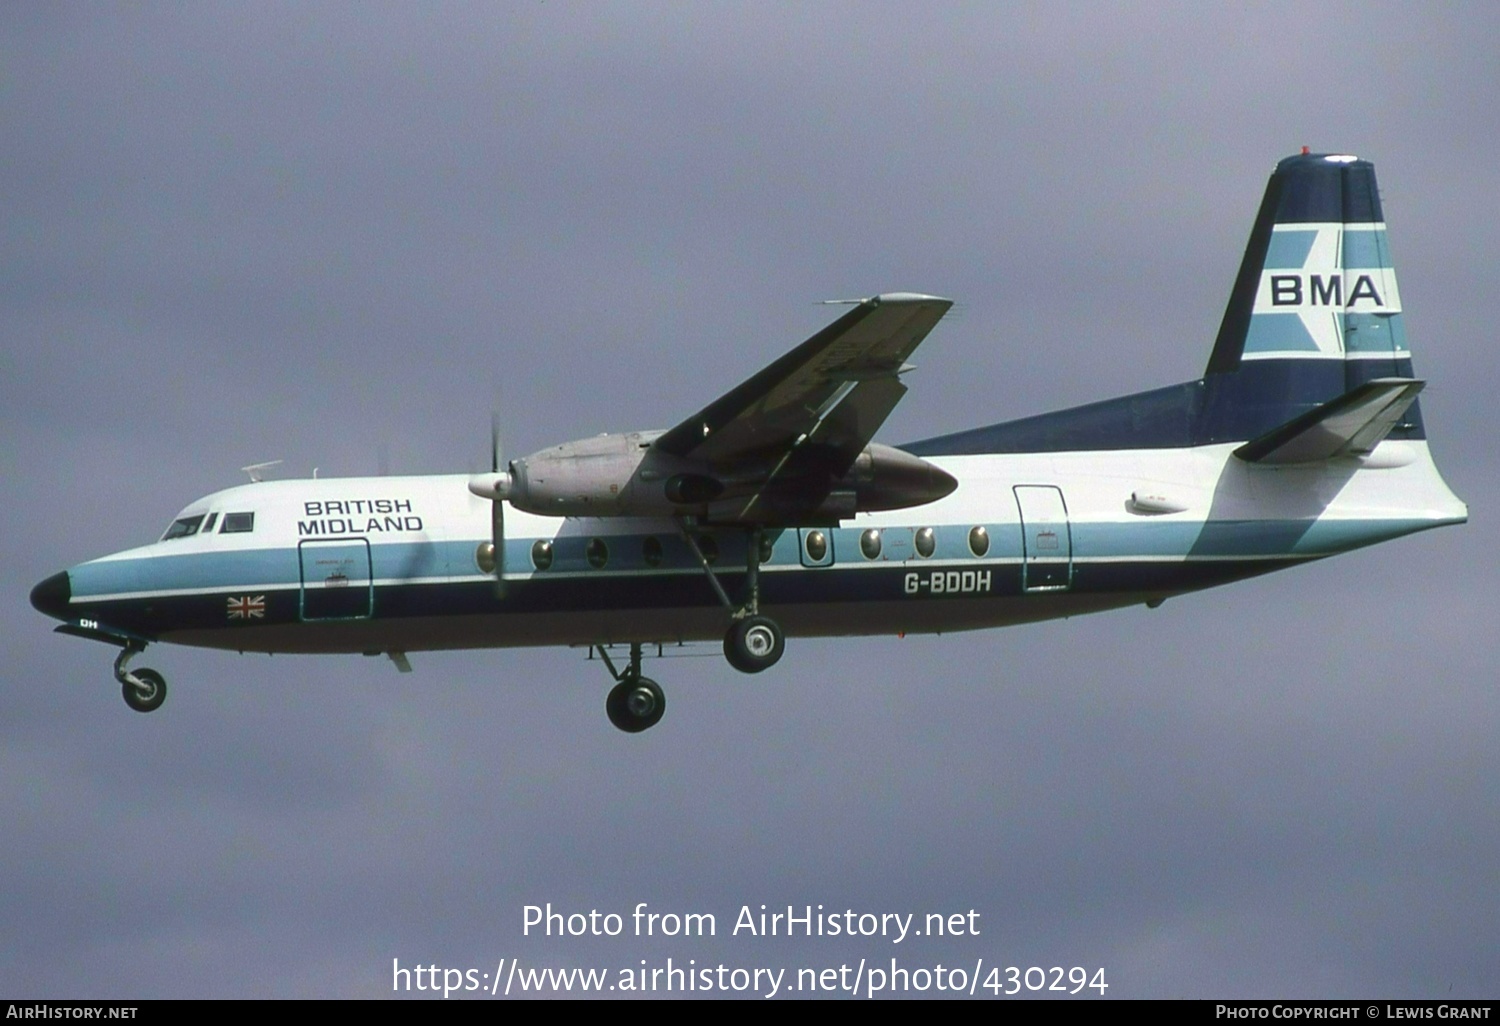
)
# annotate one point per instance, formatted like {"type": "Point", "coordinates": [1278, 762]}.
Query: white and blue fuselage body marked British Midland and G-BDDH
{"type": "Point", "coordinates": [392, 563]}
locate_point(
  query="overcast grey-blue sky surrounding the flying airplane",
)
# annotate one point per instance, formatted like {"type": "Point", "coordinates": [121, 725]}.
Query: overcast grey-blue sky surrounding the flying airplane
{"type": "Point", "coordinates": [343, 235]}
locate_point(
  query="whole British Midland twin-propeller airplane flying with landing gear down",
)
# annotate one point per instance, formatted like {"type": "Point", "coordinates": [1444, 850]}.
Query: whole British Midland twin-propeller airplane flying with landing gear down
{"type": "Point", "coordinates": [772, 512]}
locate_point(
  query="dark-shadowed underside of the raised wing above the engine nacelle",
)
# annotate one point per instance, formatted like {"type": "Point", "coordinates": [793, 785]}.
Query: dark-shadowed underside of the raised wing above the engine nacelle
{"type": "Point", "coordinates": [829, 395]}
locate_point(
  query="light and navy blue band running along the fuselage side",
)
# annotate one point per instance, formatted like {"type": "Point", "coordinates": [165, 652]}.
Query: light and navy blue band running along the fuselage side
{"type": "Point", "coordinates": [158, 596]}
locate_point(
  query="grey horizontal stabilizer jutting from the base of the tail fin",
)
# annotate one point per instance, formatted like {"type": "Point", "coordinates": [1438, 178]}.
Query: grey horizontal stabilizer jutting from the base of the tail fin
{"type": "Point", "coordinates": [1351, 425]}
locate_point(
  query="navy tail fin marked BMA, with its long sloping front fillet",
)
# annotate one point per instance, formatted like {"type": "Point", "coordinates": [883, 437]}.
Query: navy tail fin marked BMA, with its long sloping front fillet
{"type": "Point", "coordinates": [1312, 358]}
